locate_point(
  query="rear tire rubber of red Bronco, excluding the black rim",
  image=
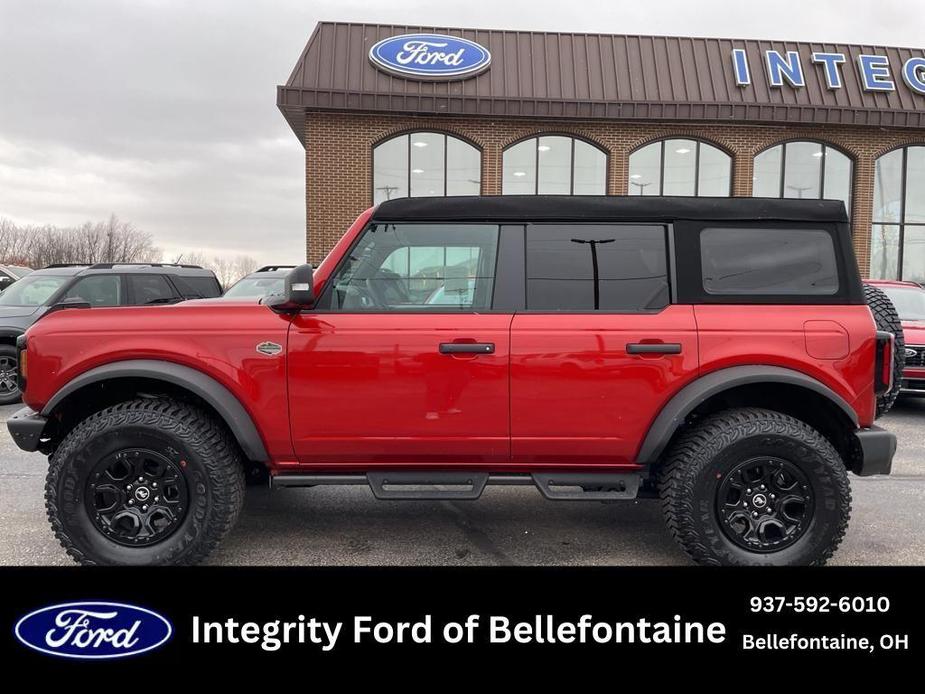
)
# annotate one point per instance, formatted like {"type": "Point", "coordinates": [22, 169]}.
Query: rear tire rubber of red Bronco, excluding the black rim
{"type": "Point", "coordinates": [697, 462]}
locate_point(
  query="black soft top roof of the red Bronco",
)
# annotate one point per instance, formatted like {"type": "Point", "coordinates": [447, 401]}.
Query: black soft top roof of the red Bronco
{"type": "Point", "coordinates": [607, 208]}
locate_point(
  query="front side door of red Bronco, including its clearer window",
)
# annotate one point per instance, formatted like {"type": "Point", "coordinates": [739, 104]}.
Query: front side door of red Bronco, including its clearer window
{"type": "Point", "coordinates": [404, 360]}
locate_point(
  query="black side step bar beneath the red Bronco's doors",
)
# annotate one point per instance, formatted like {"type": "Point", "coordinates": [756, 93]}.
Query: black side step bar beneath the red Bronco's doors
{"type": "Point", "coordinates": [406, 485]}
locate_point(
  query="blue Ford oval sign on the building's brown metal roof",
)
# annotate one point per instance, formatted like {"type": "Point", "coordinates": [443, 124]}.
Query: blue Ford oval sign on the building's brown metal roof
{"type": "Point", "coordinates": [430, 56]}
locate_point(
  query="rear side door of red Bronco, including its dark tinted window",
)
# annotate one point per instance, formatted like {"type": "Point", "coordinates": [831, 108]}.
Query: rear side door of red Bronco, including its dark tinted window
{"type": "Point", "coordinates": [600, 347]}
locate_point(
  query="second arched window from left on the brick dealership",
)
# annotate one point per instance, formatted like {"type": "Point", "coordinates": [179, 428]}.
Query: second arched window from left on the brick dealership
{"type": "Point", "coordinates": [554, 165]}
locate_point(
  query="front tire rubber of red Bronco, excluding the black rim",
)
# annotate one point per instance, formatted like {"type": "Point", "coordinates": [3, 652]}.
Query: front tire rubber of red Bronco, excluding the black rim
{"type": "Point", "coordinates": [210, 459]}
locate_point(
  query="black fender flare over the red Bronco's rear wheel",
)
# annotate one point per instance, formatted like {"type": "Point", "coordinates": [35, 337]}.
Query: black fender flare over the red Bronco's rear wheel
{"type": "Point", "coordinates": [693, 394]}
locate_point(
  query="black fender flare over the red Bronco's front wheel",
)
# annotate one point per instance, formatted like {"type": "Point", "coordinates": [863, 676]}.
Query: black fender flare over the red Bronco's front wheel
{"type": "Point", "coordinates": [224, 402]}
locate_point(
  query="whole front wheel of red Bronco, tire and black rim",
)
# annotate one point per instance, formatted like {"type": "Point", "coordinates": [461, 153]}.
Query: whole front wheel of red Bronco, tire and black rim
{"type": "Point", "coordinates": [144, 482]}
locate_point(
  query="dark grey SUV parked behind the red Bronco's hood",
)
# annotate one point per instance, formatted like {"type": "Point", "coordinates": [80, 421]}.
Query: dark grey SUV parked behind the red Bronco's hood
{"type": "Point", "coordinates": [100, 285]}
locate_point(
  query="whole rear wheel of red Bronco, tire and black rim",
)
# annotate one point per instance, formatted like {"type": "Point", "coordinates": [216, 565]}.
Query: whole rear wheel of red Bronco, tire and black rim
{"type": "Point", "coordinates": [752, 486]}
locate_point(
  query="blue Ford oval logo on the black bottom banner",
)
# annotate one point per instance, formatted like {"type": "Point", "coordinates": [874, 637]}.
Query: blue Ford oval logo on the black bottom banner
{"type": "Point", "coordinates": [93, 630]}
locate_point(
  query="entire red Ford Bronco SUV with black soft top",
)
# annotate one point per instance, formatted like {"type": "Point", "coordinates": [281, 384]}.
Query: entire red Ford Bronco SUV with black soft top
{"type": "Point", "coordinates": [717, 354]}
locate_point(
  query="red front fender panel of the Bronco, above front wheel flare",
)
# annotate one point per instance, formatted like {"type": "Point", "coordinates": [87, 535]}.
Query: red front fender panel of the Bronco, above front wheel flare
{"type": "Point", "coordinates": [216, 338]}
